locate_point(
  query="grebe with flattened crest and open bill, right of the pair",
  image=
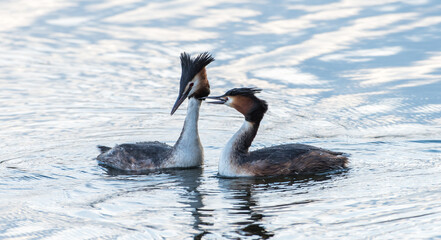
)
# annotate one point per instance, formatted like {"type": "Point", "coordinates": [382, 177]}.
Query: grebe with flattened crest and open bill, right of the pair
{"type": "Point", "coordinates": [237, 161]}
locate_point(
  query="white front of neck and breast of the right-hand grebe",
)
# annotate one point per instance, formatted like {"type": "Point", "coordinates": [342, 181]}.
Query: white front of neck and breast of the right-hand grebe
{"type": "Point", "coordinates": [228, 165]}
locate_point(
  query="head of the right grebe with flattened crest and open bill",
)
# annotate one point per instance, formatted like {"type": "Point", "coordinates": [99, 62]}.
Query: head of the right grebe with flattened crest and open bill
{"type": "Point", "coordinates": [245, 102]}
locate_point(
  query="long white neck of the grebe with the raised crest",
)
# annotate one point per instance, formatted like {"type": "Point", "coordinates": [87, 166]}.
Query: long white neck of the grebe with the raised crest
{"type": "Point", "coordinates": [188, 151]}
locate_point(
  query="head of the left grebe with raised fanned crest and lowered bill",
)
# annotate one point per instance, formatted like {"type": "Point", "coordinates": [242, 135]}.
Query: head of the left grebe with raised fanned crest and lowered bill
{"type": "Point", "coordinates": [194, 82]}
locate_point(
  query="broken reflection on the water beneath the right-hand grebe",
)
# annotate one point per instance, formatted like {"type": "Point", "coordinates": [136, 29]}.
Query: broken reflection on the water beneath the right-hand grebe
{"type": "Point", "coordinates": [243, 194]}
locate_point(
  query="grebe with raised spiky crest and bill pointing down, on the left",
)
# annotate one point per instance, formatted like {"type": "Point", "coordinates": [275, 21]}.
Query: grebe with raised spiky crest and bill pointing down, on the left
{"type": "Point", "coordinates": [187, 151]}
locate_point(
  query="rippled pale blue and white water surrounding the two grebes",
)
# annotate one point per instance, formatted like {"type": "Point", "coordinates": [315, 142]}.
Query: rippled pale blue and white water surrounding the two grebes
{"type": "Point", "coordinates": [362, 77]}
